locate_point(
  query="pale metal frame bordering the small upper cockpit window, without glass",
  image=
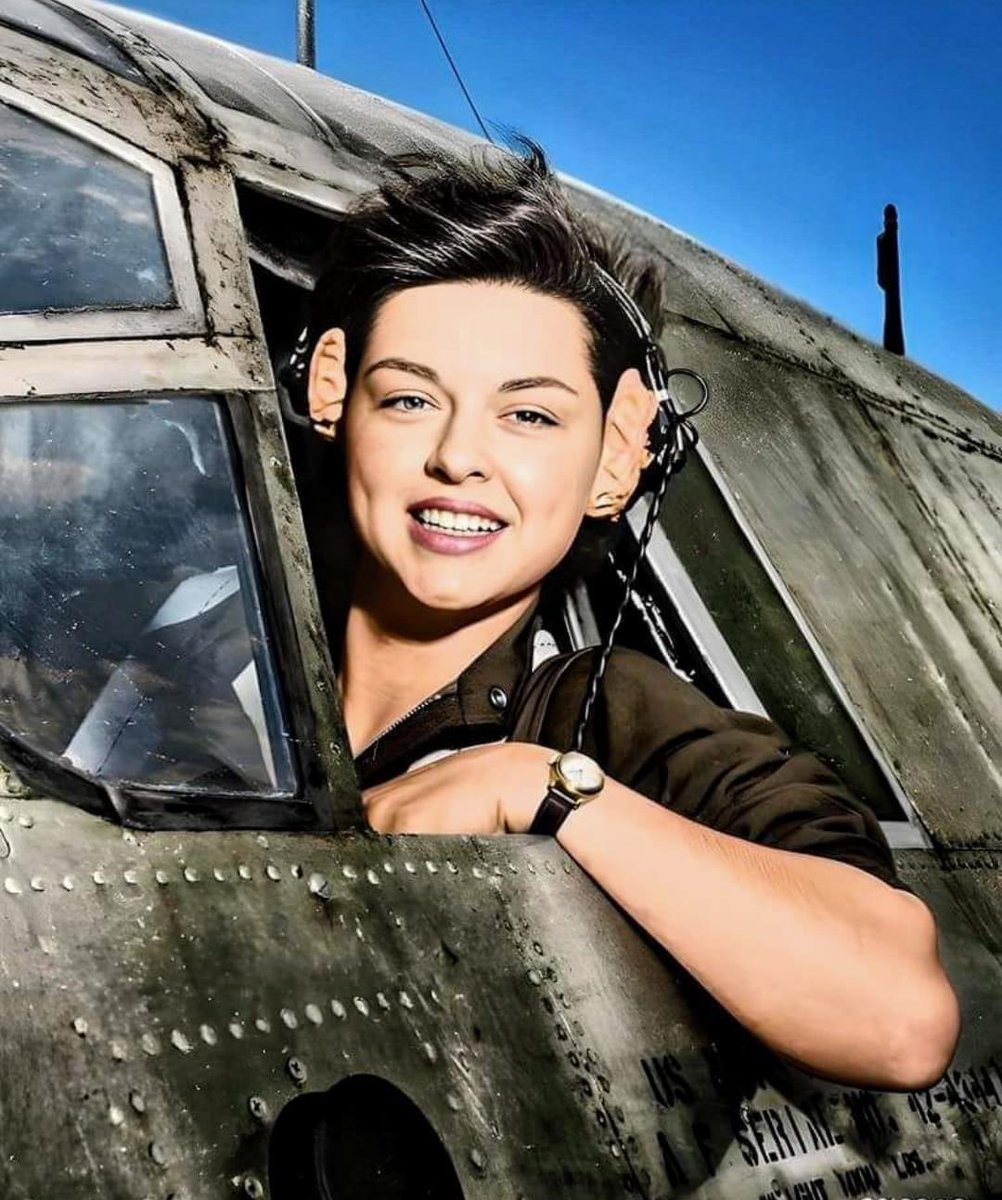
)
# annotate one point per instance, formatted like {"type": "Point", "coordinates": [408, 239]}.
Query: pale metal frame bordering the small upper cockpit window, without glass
{"type": "Point", "coordinates": [185, 316]}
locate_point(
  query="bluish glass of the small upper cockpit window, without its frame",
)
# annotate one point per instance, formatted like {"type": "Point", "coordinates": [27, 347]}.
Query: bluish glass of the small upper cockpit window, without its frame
{"type": "Point", "coordinates": [79, 226]}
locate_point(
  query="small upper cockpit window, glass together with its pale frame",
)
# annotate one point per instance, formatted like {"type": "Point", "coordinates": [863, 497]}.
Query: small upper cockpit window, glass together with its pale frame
{"type": "Point", "coordinates": [93, 232]}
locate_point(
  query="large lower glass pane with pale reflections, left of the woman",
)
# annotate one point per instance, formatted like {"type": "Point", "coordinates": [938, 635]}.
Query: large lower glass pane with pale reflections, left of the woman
{"type": "Point", "coordinates": [131, 632]}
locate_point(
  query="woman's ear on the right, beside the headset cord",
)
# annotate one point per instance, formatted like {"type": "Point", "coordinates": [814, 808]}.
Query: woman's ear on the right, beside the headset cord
{"type": "Point", "coordinates": [625, 446]}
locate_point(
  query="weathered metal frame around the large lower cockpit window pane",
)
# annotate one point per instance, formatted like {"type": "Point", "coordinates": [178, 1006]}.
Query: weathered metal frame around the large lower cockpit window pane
{"type": "Point", "coordinates": [233, 368]}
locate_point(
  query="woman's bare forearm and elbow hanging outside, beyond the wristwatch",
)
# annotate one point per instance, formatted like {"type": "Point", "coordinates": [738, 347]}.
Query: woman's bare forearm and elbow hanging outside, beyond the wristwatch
{"type": "Point", "coordinates": [826, 964]}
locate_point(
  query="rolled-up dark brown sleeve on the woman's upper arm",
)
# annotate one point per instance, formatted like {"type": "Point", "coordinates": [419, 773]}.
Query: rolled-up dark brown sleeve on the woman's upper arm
{"type": "Point", "coordinates": [730, 771]}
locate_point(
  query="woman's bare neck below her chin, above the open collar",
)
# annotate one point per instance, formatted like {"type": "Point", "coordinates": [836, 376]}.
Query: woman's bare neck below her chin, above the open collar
{"type": "Point", "coordinates": [391, 663]}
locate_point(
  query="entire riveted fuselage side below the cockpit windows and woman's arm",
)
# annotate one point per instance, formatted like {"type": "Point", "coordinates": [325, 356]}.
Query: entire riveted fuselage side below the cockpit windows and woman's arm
{"type": "Point", "coordinates": [184, 988]}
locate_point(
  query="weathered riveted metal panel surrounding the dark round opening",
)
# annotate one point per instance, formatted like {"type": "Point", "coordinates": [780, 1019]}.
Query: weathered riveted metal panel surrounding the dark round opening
{"type": "Point", "coordinates": [203, 971]}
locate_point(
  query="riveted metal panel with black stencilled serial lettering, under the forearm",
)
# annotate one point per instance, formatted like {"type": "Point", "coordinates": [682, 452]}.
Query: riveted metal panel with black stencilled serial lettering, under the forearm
{"type": "Point", "coordinates": [701, 1109]}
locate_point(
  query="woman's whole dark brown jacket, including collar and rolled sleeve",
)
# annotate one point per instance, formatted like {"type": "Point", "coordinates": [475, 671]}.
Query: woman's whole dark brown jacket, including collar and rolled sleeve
{"type": "Point", "coordinates": [657, 734]}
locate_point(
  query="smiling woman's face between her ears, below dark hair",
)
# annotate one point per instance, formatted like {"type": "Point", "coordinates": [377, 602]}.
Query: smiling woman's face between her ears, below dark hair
{"type": "Point", "coordinates": [473, 437]}
